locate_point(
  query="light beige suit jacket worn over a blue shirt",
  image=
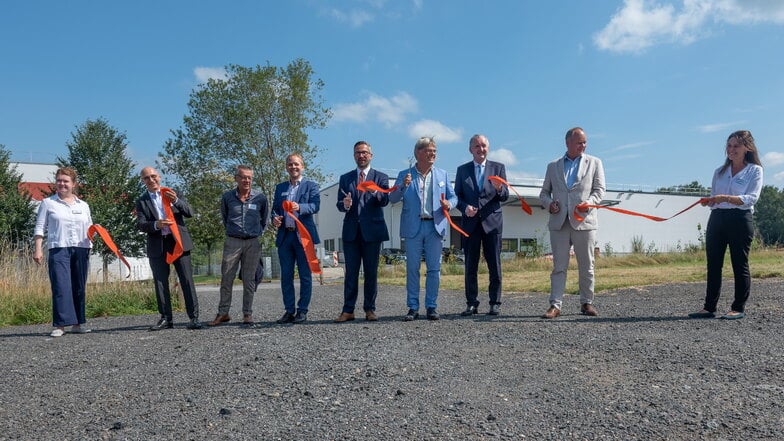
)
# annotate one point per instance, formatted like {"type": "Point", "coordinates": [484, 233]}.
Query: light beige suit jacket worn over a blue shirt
{"type": "Point", "coordinates": [588, 187]}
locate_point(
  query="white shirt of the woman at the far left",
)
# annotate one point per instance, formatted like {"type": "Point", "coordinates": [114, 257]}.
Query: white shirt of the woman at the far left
{"type": "Point", "coordinates": [65, 224]}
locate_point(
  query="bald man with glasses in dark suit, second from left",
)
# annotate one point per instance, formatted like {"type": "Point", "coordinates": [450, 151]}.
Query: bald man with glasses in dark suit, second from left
{"type": "Point", "coordinates": [151, 219]}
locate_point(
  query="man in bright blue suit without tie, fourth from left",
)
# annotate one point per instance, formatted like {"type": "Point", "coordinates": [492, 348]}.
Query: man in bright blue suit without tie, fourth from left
{"type": "Point", "coordinates": [306, 201]}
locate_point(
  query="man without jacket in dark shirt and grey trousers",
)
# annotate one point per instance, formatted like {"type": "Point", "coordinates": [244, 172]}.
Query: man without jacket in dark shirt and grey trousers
{"type": "Point", "coordinates": [244, 213]}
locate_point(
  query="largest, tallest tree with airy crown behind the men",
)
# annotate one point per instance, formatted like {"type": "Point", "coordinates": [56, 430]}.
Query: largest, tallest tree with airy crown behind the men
{"type": "Point", "coordinates": [255, 117]}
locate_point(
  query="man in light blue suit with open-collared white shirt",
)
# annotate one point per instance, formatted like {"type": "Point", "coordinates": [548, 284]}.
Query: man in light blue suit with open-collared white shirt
{"type": "Point", "coordinates": [425, 190]}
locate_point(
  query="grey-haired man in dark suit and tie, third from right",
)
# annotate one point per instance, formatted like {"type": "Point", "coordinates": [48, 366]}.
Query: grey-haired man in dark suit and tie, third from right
{"type": "Point", "coordinates": [479, 199]}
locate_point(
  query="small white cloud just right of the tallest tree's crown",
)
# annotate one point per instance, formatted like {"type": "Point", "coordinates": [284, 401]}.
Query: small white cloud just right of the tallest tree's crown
{"type": "Point", "coordinates": [389, 111]}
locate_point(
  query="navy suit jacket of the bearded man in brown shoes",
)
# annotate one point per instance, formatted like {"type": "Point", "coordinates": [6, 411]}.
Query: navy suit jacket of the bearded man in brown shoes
{"type": "Point", "coordinates": [369, 220]}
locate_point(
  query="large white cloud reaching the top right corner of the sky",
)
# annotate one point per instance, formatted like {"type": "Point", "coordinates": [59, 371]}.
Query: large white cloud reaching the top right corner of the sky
{"type": "Point", "coordinates": [640, 24]}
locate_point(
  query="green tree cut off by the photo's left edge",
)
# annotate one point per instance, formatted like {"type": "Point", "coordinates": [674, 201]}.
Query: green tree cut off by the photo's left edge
{"type": "Point", "coordinates": [16, 208]}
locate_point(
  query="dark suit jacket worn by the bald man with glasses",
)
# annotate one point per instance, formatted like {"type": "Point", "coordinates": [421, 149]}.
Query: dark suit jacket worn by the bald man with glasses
{"type": "Point", "coordinates": [147, 214]}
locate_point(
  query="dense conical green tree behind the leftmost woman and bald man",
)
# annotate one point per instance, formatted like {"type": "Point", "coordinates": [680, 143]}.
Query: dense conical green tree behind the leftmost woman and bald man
{"type": "Point", "coordinates": [108, 183]}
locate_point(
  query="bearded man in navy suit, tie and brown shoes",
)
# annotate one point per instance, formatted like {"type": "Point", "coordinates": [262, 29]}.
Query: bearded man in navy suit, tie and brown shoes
{"type": "Point", "coordinates": [364, 228]}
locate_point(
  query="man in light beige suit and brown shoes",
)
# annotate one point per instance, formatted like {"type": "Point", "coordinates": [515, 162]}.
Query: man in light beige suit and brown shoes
{"type": "Point", "coordinates": [572, 180]}
